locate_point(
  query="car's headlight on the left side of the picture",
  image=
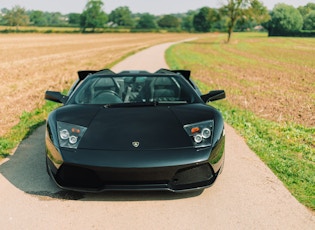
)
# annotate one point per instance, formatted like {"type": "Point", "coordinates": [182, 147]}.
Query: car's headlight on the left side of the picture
{"type": "Point", "coordinates": [70, 135]}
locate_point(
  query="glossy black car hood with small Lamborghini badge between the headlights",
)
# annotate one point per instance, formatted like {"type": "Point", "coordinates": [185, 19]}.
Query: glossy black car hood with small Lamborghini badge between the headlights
{"type": "Point", "coordinates": [135, 128]}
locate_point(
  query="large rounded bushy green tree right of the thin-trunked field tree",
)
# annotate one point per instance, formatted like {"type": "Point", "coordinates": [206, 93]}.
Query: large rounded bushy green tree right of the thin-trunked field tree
{"type": "Point", "coordinates": [285, 19]}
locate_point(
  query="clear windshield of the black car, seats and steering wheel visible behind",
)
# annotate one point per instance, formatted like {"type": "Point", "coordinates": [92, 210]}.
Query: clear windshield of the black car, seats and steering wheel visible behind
{"type": "Point", "coordinates": [134, 89]}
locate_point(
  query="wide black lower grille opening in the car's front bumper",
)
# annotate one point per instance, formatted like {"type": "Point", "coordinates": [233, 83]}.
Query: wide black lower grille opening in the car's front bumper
{"type": "Point", "coordinates": [176, 177]}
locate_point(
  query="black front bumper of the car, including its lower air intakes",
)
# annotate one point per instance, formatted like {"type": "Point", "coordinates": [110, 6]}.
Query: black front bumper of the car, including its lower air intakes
{"type": "Point", "coordinates": [172, 170]}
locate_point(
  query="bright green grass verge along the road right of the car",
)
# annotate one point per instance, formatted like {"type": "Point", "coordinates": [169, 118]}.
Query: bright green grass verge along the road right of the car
{"type": "Point", "coordinates": [287, 149]}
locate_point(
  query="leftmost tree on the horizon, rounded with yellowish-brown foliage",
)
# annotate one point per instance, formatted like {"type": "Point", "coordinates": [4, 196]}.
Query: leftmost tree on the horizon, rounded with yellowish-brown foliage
{"type": "Point", "coordinates": [17, 16]}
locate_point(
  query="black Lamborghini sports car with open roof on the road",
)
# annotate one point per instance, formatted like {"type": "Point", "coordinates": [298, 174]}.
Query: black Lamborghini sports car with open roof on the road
{"type": "Point", "coordinates": [134, 130]}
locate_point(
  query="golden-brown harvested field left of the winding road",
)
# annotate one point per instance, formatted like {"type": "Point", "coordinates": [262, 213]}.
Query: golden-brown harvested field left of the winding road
{"type": "Point", "coordinates": [32, 63]}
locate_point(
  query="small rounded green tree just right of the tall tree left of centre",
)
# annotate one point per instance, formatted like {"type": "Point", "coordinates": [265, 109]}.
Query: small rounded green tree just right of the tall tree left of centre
{"type": "Point", "coordinates": [121, 16]}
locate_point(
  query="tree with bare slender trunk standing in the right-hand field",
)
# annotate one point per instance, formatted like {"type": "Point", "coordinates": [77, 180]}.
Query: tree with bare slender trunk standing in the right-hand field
{"type": "Point", "coordinates": [235, 10]}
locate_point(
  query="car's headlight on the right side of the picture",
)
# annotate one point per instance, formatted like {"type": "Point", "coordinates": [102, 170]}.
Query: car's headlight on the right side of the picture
{"type": "Point", "coordinates": [200, 133]}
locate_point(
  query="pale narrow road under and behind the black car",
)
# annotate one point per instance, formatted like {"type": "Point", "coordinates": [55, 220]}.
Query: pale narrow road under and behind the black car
{"type": "Point", "coordinates": [247, 195]}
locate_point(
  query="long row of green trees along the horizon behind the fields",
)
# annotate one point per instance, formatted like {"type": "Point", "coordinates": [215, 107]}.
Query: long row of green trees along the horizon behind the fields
{"type": "Point", "coordinates": [235, 15]}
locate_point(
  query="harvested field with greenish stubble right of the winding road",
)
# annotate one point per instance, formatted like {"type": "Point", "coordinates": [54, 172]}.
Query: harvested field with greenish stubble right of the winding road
{"type": "Point", "coordinates": [272, 77]}
